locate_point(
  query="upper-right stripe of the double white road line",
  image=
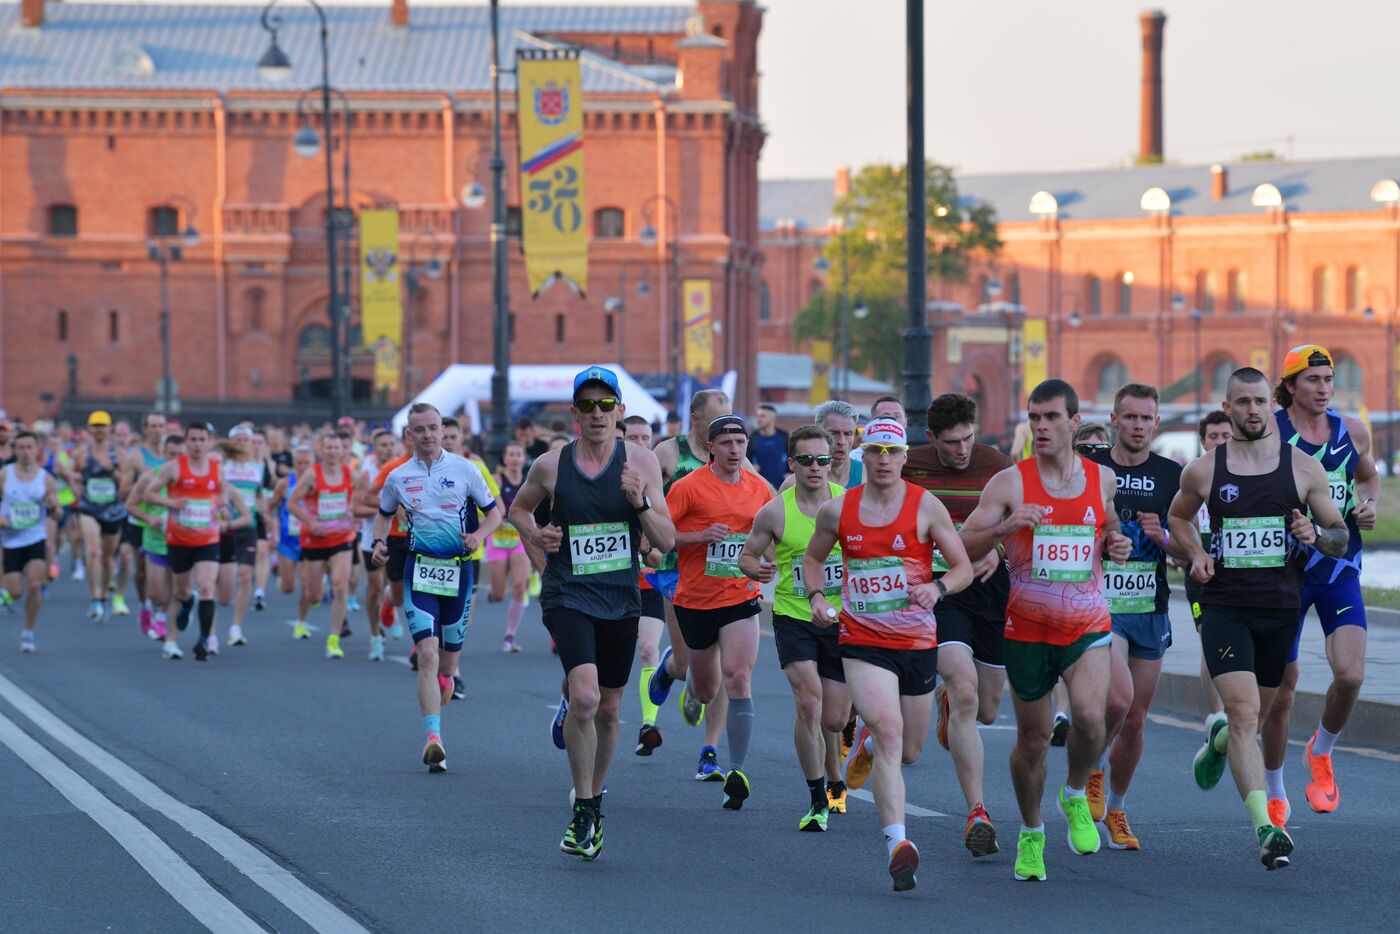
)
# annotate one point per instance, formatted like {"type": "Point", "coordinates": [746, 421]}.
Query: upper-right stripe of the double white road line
{"type": "Point", "coordinates": [285, 887]}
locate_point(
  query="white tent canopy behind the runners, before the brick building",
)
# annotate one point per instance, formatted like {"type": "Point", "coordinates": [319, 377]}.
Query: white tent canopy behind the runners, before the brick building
{"type": "Point", "coordinates": [464, 387]}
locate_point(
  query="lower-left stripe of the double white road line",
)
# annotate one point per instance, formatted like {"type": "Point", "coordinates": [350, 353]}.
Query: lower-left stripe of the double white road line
{"type": "Point", "coordinates": [153, 855]}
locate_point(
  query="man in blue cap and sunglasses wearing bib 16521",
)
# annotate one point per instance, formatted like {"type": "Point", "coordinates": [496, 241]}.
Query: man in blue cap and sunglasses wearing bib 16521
{"type": "Point", "coordinates": [605, 495]}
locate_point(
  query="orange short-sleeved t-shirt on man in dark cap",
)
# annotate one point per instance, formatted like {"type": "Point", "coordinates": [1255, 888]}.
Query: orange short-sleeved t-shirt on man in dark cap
{"type": "Point", "coordinates": [710, 576]}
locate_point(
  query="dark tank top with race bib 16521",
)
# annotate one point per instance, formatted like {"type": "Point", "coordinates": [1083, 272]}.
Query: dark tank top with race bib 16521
{"type": "Point", "coordinates": [596, 568]}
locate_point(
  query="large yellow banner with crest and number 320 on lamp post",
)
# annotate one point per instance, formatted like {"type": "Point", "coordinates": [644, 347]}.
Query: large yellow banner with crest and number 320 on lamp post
{"type": "Point", "coordinates": [551, 111]}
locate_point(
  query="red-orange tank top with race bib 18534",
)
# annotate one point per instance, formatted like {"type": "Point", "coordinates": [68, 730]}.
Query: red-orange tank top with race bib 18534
{"type": "Point", "coordinates": [881, 565]}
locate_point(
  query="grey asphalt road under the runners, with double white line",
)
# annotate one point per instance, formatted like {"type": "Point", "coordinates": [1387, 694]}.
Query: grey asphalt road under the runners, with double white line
{"type": "Point", "coordinates": [274, 789]}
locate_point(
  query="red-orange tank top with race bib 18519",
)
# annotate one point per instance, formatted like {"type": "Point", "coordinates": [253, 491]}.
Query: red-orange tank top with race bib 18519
{"type": "Point", "coordinates": [1056, 569]}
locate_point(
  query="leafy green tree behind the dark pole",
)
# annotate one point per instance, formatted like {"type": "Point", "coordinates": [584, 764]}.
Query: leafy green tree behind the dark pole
{"type": "Point", "coordinates": [876, 235]}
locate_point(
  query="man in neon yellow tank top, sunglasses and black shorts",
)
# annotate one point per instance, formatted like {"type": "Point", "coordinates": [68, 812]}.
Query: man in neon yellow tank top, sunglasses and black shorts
{"type": "Point", "coordinates": [808, 655]}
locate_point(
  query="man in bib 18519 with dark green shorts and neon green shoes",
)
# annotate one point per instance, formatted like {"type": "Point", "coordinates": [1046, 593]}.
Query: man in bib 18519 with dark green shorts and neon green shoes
{"type": "Point", "coordinates": [1055, 515]}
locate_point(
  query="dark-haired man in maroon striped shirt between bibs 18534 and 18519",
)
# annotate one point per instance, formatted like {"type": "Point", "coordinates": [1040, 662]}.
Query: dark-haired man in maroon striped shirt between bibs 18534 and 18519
{"type": "Point", "coordinates": [971, 662]}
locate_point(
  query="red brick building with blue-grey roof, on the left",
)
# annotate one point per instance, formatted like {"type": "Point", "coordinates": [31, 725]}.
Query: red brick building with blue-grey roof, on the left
{"type": "Point", "coordinates": [120, 124]}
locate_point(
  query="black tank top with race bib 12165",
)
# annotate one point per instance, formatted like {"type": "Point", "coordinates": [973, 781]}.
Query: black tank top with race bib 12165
{"type": "Point", "coordinates": [1258, 561]}
